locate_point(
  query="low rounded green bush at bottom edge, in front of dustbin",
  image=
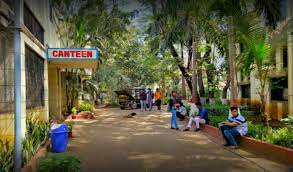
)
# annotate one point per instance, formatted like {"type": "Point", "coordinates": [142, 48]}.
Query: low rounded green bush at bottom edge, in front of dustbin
{"type": "Point", "coordinates": [59, 162]}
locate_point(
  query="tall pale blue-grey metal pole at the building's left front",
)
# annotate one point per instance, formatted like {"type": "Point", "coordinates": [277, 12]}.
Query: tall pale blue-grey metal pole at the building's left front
{"type": "Point", "coordinates": [17, 90]}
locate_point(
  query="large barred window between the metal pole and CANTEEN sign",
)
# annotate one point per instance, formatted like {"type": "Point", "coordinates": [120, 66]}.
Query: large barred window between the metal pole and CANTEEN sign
{"type": "Point", "coordinates": [34, 75]}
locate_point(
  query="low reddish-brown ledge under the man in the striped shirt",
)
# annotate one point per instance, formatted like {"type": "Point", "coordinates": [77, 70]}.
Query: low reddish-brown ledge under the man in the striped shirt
{"type": "Point", "coordinates": [270, 151]}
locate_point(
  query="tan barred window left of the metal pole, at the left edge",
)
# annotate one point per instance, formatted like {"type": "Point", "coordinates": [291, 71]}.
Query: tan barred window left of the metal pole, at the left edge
{"type": "Point", "coordinates": [6, 77]}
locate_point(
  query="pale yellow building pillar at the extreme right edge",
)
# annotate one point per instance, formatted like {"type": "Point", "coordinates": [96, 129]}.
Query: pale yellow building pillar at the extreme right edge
{"type": "Point", "coordinates": [290, 72]}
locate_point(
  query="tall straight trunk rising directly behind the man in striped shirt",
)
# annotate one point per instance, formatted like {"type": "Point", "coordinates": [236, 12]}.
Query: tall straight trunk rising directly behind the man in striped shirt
{"type": "Point", "coordinates": [232, 55]}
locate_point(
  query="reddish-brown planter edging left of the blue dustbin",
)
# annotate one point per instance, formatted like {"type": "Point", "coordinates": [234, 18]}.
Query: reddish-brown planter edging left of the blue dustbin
{"type": "Point", "coordinates": [31, 166]}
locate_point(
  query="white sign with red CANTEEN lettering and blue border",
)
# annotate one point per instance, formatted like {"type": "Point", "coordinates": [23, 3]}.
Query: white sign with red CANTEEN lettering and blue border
{"type": "Point", "coordinates": [72, 54]}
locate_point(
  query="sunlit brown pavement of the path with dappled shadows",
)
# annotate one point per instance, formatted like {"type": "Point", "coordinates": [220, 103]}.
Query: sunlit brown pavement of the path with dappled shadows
{"type": "Point", "coordinates": [145, 143]}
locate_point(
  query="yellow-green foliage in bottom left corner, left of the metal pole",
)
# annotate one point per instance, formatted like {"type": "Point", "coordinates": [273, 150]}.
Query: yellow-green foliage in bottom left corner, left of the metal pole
{"type": "Point", "coordinates": [6, 156]}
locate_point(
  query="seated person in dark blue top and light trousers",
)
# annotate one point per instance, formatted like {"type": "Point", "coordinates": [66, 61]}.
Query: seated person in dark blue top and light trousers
{"type": "Point", "coordinates": [201, 118]}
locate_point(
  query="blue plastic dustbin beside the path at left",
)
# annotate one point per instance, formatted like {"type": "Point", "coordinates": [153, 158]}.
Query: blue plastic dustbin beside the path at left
{"type": "Point", "coordinates": [59, 139]}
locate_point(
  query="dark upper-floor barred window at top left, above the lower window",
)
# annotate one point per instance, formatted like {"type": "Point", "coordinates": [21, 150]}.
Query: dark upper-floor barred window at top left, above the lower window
{"type": "Point", "coordinates": [31, 22]}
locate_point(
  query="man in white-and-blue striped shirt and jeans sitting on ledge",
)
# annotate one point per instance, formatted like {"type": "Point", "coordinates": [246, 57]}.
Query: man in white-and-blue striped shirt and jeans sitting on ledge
{"type": "Point", "coordinates": [236, 125]}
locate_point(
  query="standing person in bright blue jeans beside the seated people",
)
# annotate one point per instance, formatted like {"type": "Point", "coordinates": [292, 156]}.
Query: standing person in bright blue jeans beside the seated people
{"type": "Point", "coordinates": [174, 103]}
